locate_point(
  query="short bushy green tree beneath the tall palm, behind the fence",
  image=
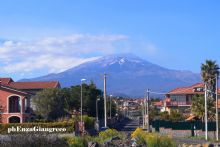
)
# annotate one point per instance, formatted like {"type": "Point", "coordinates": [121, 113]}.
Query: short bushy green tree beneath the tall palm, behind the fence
{"type": "Point", "coordinates": [198, 107]}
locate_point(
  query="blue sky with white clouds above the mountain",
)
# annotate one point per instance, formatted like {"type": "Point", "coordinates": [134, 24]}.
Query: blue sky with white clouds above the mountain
{"type": "Point", "coordinates": [38, 37]}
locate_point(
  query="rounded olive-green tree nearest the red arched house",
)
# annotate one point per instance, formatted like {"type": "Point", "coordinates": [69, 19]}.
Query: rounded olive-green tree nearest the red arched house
{"type": "Point", "coordinates": [49, 103]}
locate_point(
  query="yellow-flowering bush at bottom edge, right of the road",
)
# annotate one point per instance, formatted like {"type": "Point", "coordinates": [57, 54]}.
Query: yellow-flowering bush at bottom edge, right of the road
{"type": "Point", "coordinates": [152, 139]}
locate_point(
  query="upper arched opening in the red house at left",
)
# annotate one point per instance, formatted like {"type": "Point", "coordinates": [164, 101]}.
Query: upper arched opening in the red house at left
{"type": "Point", "coordinates": [14, 104]}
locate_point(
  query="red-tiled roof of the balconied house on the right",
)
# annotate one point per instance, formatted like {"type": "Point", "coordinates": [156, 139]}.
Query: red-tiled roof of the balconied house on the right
{"type": "Point", "coordinates": [188, 90]}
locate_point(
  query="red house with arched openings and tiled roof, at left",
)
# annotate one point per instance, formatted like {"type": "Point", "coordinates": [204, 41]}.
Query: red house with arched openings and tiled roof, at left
{"type": "Point", "coordinates": [15, 99]}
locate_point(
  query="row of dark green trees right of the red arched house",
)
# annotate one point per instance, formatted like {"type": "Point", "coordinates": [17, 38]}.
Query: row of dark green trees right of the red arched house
{"type": "Point", "coordinates": [52, 104]}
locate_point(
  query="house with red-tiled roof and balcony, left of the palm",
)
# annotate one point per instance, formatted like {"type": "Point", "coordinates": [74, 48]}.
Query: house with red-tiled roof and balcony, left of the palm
{"type": "Point", "coordinates": [181, 98]}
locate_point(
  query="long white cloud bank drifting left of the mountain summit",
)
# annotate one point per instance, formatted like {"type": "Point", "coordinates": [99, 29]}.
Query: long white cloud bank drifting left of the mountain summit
{"type": "Point", "coordinates": [55, 54]}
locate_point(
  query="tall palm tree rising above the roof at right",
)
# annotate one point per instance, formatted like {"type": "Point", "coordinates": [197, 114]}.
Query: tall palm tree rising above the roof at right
{"type": "Point", "coordinates": [208, 72]}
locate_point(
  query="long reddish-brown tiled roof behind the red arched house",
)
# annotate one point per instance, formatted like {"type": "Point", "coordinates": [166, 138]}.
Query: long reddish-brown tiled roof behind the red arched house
{"type": "Point", "coordinates": [34, 85]}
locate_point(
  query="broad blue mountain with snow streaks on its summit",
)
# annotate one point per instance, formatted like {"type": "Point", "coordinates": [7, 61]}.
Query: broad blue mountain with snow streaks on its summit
{"type": "Point", "coordinates": [128, 75]}
